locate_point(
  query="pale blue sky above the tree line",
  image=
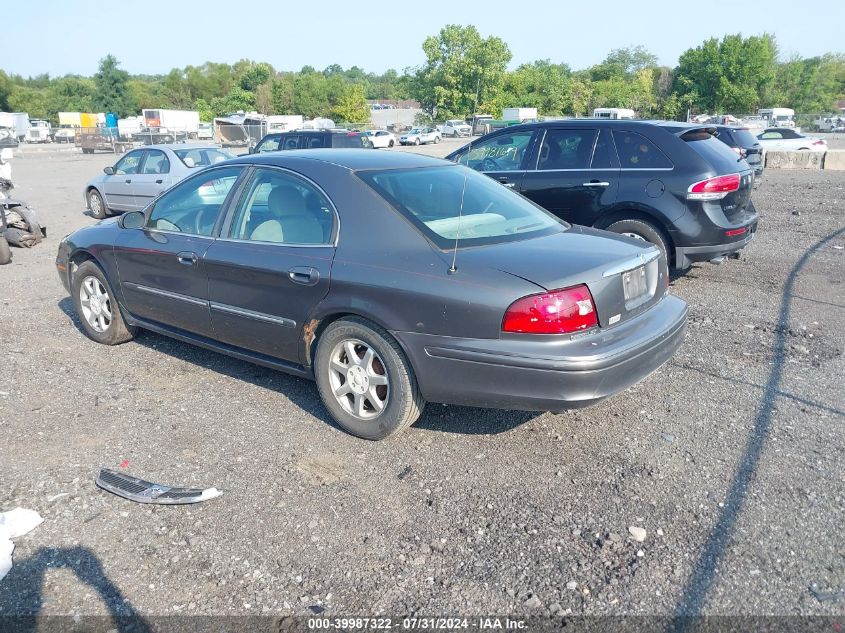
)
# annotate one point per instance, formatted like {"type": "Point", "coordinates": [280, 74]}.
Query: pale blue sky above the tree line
{"type": "Point", "coordinates": [155, 37]}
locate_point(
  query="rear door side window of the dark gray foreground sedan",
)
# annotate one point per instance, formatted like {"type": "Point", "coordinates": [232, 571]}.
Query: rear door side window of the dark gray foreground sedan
{"type": "Point", "coordinates": [282, 209]}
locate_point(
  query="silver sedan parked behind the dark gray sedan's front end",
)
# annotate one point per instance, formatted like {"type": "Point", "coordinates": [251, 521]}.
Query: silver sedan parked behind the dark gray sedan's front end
{"type": "Point", "coordinates": [140, 175]}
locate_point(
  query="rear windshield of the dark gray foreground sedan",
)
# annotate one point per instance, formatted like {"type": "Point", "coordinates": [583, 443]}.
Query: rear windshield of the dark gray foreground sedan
{"type": "Point", "coordinates": [449, 204]}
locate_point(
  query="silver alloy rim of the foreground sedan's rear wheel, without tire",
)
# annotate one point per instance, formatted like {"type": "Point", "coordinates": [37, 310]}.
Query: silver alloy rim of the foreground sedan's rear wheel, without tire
{"type": "Point", "coordinates": [358, 379]}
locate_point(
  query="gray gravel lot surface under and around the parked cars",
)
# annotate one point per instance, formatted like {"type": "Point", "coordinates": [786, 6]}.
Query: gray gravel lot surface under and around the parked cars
{"type": "Point", "coordinates": [730, 458]}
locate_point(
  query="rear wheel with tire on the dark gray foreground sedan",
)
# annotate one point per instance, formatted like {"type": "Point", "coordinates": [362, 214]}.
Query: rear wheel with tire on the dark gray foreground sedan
{"type": "Point", "coordinates": [356, 408]}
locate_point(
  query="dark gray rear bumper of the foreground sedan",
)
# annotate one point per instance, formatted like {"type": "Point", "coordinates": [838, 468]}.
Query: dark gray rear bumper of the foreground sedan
{"type": "Point", "coordinates": [543, 373]}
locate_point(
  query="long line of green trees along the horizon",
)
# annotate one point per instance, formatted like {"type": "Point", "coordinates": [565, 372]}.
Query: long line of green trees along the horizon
{"type": "Point", "coordinates": [463, 73]}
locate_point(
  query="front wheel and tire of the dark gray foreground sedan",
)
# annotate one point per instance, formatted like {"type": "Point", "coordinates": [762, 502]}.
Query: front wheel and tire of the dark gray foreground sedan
{"type": "Point", "coordinates": [97, 307]}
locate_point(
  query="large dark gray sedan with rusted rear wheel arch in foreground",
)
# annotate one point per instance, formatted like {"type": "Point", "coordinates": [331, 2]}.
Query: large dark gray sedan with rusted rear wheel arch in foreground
{"type": "Point", "coordinates": [391, 279]}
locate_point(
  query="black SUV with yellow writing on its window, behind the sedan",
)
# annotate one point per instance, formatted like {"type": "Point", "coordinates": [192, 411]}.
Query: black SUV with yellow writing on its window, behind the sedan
{"type": "Point", "coordinates": [672, 184]}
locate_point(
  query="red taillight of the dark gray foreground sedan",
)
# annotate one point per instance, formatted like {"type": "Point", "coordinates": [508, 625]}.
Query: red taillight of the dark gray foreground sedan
{"type": "Point", "coordinates": [555, 312]}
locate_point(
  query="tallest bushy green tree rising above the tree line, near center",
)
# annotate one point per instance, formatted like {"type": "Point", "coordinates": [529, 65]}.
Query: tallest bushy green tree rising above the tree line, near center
{"type": "Point", "coordinates": [460, 65]}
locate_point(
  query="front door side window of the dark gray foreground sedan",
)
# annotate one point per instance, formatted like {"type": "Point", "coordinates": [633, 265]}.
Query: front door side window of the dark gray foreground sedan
{"type": "Point", "coordinates": [193, 205]}
